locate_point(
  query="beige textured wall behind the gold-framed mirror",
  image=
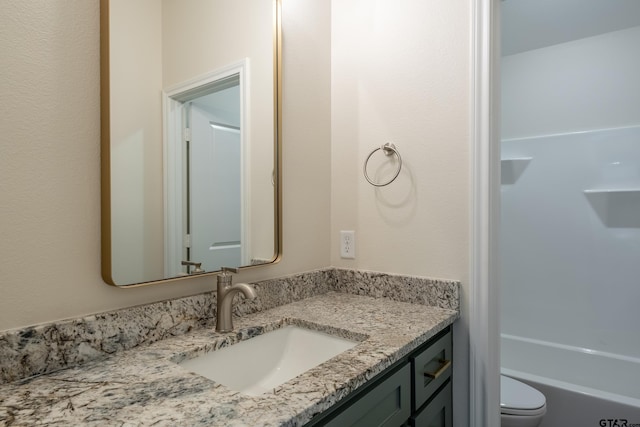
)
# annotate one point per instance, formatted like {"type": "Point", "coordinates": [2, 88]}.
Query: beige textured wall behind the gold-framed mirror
{"type": "Point", "coordinates": [50, 161]}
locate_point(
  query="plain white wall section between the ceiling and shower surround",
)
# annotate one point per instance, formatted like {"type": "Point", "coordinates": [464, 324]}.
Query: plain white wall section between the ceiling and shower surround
{"type": "Point", "coordinates": [586, 84]}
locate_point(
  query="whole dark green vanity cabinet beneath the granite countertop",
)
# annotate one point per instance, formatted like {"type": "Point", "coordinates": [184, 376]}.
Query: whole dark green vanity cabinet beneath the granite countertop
{"type": "Point", "coordinates": [415, 391]}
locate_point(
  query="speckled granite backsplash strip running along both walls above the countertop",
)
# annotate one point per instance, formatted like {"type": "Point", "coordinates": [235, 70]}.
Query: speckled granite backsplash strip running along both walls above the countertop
{"type": "Point", "coordinates": [51, 347]}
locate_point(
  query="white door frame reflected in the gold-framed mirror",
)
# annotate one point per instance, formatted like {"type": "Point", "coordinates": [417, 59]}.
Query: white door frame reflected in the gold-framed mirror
{"type": "Point", "coordinates": [179, 213]}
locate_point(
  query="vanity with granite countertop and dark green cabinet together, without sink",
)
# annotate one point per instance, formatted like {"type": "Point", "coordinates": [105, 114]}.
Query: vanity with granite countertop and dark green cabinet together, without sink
{"type": "Point", "coordinates": [382, 376]}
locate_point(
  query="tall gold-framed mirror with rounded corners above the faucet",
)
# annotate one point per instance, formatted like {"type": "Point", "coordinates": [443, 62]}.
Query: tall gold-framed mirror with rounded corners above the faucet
{"type": "Point", "coordinates": [191, 142]}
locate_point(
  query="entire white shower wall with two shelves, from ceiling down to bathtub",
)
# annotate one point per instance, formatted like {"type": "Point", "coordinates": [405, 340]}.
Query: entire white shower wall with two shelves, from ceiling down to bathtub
{"type": "Point", "coordinates": [570, 259]}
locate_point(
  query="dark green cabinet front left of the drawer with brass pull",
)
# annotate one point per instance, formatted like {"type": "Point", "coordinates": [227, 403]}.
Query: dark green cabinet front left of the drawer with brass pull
{"type": "Point", "coordinates": [389, 404]}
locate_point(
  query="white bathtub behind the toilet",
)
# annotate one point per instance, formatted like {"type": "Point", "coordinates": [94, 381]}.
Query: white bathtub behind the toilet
{"type": "Point", "coordinates": [582, 387]}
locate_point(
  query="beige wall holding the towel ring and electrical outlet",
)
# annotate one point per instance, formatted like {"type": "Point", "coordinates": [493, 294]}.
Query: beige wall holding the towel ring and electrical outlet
{"type": "Point", "coordinates": [400, 74]}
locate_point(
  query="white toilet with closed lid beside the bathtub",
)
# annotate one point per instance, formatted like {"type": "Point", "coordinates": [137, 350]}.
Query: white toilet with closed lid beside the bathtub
{"type": "Point", "coordinates": [520, 404]}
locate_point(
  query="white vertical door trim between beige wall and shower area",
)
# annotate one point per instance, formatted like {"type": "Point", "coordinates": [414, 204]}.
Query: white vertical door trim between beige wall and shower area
{"type": "Point", "coordinates": [484, 322]}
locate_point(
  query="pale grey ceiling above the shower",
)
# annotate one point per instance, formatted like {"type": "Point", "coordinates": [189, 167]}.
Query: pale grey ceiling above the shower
{"type": "Point", "coordinates": [532, 24]}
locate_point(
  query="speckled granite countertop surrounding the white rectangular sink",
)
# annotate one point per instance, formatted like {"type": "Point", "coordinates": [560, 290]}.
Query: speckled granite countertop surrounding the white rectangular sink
{"type": "Point", "coordinates": [144, 385]}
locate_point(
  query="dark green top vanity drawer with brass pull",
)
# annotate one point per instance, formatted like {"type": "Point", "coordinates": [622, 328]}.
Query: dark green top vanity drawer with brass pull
{"type": "Point", "coordinates": [431, 368]}
